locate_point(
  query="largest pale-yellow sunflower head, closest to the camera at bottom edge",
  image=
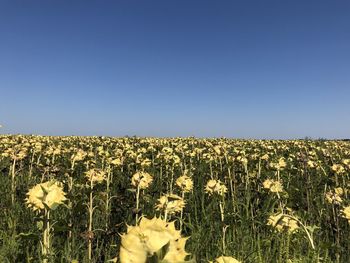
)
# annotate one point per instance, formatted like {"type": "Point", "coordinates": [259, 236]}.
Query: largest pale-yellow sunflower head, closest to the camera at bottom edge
{"type": "Point", "coordinates": [150, 236]}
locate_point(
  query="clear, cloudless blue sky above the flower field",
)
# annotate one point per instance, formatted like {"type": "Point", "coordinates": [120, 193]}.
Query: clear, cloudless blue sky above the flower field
{"type": "Point", "coordinates": [243, 69]}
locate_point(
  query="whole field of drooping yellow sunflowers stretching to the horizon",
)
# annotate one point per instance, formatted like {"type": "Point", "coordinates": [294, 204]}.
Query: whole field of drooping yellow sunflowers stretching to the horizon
{"type": "Point", "coordinates": [172, 200]}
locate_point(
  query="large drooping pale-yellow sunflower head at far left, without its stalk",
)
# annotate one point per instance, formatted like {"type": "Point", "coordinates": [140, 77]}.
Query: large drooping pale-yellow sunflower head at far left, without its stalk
{"type": "Point", "coordinates": [49, 194]}
